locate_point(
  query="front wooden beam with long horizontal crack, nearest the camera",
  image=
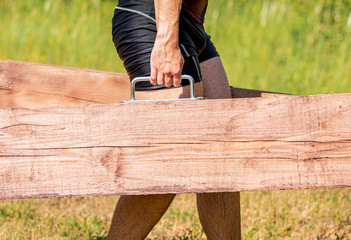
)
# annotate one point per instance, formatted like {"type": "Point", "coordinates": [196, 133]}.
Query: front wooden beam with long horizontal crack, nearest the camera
{"type": "Point", "coordinates": [293, 142]}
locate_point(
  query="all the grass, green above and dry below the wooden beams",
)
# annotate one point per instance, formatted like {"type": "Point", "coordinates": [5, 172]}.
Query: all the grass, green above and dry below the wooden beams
{"type": "Point", "coordinates": [299, 47]}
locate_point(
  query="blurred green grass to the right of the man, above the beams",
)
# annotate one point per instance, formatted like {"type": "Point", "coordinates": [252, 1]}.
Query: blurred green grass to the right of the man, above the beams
{"type": "Point", "coordinates": [300, 47]}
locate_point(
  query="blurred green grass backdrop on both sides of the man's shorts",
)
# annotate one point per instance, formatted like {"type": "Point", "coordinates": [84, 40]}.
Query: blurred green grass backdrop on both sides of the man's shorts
{"type": "Point", "coordinates": [293, 46]}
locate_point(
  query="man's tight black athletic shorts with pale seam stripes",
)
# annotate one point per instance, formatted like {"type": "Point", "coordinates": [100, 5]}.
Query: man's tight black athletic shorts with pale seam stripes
{"type": "Point", "coordinates": [134, 32]}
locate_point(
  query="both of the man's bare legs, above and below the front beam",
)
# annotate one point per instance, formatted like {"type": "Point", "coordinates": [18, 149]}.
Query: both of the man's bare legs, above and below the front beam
{"type": "Point", "coordinates": [135, 216]}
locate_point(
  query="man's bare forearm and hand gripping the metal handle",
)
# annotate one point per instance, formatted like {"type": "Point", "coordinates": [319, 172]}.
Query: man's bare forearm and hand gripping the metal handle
{"type": "Point", "coordinates": [166, 58]}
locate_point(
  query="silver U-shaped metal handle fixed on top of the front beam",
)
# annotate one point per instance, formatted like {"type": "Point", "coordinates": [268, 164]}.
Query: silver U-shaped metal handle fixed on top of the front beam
{"type": "Point", "coordinates": [145, 79]}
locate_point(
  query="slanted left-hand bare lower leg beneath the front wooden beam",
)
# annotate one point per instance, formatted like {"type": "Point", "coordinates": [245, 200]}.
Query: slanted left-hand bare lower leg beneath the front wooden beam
{"type": "Point", "coordinates": [135, 216]}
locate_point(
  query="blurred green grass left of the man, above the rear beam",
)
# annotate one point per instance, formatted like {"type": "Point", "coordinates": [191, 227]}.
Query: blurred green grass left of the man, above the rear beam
{"type": "Point", "coordinates": [69, 33]}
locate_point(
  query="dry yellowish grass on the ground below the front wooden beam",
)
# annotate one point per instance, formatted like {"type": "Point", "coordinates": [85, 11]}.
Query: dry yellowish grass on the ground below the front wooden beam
{"type": "Point", "coordinates": [299, 214]}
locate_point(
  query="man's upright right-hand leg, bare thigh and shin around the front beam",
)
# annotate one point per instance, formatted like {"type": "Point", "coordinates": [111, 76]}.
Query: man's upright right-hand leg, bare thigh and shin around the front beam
{"type": "Point", "coordinates": [219, 212]}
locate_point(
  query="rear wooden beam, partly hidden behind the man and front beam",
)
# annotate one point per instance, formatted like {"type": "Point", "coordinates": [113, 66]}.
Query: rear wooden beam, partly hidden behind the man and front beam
{"type": "Point", "coordinates": [24, 84]}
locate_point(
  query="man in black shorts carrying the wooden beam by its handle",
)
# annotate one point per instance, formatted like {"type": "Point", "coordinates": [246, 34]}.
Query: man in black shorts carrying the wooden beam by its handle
{"type": "Point", "coordinates": [164, 39]}
